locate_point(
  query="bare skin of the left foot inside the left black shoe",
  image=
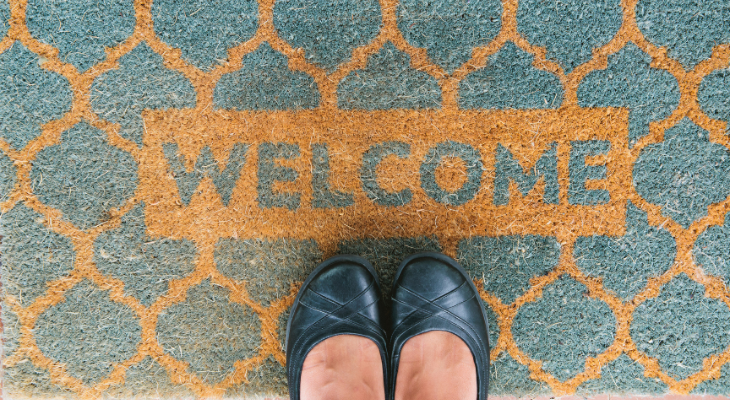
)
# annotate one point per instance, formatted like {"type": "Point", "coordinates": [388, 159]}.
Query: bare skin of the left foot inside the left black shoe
{"type": "Point", "coordinates": [343, 367]}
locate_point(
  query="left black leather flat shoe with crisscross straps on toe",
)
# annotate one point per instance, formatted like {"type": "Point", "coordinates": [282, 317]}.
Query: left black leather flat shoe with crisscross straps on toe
{"type": "Point", "coordinates": [340, 297]}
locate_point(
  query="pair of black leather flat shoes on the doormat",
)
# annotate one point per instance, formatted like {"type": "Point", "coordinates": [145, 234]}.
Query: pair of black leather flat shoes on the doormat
{"type": "Point", "coordinates": [431, 292]}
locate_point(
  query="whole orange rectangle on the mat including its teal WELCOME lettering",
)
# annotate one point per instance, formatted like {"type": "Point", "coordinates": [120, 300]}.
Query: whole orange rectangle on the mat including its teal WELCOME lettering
{"type": "Point", "coordinates": [291, 173]}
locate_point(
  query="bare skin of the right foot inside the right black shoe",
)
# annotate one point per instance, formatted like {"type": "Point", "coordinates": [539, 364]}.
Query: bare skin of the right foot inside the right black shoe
{"type": "Point", "coordinates": [436, 365]}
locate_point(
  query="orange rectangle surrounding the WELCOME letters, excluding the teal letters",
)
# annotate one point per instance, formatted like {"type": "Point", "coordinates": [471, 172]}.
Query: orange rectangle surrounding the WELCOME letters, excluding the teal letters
{"type": "Point", "coordinates": [348, 135]}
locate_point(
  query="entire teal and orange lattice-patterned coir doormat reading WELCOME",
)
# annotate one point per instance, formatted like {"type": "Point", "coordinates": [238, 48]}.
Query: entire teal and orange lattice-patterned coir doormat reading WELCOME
{"type": "Point", "coordinates": [170, 171]}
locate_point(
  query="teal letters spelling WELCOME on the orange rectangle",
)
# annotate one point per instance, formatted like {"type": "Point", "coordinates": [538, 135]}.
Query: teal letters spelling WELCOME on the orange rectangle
{"type": "Point", "coordinates": [507, 170]}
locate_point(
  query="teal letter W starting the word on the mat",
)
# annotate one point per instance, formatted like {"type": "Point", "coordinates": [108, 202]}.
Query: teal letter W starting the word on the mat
{"type": "Point", "coordinates": [205, 165]}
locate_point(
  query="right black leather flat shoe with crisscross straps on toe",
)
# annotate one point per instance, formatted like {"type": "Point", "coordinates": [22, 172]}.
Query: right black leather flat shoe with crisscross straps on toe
{"type": "Point", "coordinates": [432, 292]}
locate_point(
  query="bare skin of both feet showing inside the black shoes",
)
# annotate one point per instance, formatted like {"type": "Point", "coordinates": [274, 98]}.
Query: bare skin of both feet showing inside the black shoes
{"type": "Point", "coordinates": [433, 366]}
